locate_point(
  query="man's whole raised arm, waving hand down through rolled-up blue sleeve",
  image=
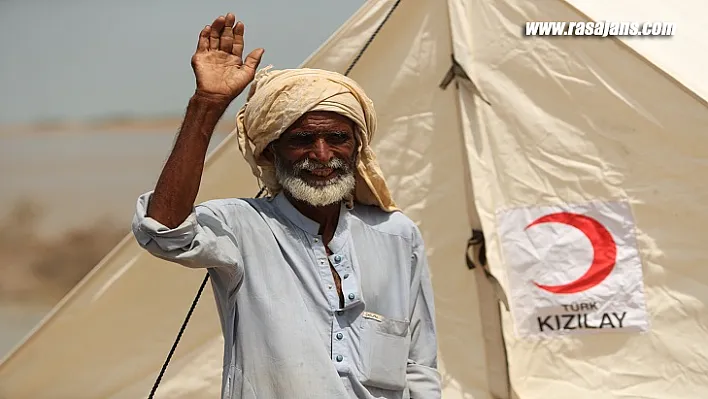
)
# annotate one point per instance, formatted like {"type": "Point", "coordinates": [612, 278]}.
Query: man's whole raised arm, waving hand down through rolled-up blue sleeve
{"type": "Point", "coordinates": [166, 222]}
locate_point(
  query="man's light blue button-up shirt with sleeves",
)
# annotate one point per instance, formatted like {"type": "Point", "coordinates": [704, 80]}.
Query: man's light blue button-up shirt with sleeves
{"type": "Point", "coordinates": [285, 335]}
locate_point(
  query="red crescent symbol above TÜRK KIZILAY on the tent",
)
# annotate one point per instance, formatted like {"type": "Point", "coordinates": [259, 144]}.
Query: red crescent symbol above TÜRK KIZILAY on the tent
{"type": "Point", "coordinates": [603, 245]}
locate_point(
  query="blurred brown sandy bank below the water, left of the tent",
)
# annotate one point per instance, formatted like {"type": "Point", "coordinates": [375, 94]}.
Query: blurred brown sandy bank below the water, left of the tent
{"type": "Point", "coordinates": [37, 272]}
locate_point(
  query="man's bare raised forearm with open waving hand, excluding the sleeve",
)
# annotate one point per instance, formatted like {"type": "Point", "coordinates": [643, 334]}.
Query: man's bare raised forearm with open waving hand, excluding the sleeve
{"type": "Point", "coordinates": [221, 76]}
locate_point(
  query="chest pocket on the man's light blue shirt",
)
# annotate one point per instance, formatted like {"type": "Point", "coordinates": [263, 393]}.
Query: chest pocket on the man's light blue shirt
{"type": "Point", "coordinates": [386, 344]}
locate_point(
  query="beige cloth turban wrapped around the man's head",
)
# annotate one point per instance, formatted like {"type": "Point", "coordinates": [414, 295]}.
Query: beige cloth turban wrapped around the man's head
{"type": "Point", "coordinates": [279, 98]}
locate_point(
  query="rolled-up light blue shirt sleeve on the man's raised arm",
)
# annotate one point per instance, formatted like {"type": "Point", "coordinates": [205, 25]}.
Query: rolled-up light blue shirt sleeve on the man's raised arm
{"type": "Point", "coordinates": [203, 240]}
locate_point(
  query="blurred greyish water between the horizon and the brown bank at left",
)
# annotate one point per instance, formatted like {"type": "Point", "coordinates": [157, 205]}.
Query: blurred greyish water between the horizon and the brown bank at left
{"type": "Point", "coordinates": [79, 178]}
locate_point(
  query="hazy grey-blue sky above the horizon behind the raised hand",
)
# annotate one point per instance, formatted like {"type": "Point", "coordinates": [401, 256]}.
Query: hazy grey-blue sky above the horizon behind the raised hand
{"type": "Point", "coordinates": [85, 59]}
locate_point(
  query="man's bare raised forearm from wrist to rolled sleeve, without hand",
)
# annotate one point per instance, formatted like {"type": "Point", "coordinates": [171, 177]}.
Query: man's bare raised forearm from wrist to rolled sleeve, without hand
{"type": "Point", "coordinates": [178, 185]}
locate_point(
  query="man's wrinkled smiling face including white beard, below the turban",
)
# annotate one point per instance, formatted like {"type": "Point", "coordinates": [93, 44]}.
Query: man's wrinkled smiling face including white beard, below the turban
{"type": "Point", "coordinates": [315, 158]}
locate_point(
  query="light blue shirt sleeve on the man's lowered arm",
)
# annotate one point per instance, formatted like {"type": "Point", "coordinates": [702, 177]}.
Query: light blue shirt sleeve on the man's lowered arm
{"type": "Point", "coordinates": [422, 373]}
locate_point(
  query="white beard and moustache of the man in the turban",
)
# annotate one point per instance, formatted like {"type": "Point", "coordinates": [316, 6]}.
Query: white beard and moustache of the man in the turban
{"type": "Point", "coordinates": [325, 193]}
